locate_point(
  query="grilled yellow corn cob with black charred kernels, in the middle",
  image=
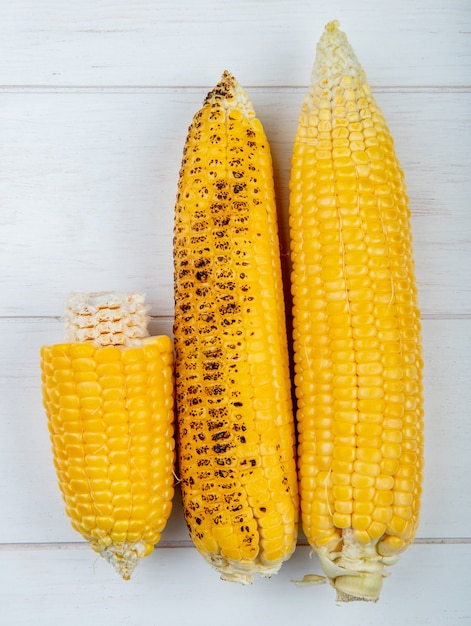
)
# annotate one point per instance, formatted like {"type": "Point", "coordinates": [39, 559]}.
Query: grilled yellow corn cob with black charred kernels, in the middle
{"type": "Point", "coordinates": [235, 418]}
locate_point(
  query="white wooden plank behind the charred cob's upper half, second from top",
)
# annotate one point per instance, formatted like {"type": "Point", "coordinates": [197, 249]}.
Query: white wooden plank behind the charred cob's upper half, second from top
{"type": "Point", "coordinates": [89, 180]}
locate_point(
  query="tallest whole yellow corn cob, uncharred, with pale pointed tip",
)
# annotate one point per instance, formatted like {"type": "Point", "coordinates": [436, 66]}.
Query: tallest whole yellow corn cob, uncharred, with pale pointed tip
{"type": "Point", "coordinates": [356, 331]}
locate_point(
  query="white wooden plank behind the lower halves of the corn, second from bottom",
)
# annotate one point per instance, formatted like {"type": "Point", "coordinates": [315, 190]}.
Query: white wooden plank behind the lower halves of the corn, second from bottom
{"type": "Point", "coordinates": [33, 510]}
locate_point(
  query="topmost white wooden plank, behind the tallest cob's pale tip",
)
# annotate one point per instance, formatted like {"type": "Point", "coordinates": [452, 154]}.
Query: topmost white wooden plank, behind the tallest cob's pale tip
{"type": "Point", "coordinates": [183, 43]}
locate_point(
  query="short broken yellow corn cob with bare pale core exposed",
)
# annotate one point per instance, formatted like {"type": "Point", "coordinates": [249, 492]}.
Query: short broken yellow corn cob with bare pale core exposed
{"type": "Point", "coordinates": [108, 395]}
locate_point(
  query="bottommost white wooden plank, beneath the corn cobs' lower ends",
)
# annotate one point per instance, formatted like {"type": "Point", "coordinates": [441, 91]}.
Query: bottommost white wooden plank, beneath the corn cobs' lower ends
{"type": "Point", "coordinates": [430, 584]}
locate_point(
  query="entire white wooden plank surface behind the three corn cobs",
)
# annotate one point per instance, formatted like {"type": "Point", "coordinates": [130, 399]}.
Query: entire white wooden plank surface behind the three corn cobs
{"type": "Point", "coordinates": [95, 100]}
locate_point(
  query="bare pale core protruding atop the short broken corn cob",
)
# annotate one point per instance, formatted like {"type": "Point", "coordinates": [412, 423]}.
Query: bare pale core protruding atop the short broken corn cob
{"type": "Point", "coordinates": [106, 319]}
